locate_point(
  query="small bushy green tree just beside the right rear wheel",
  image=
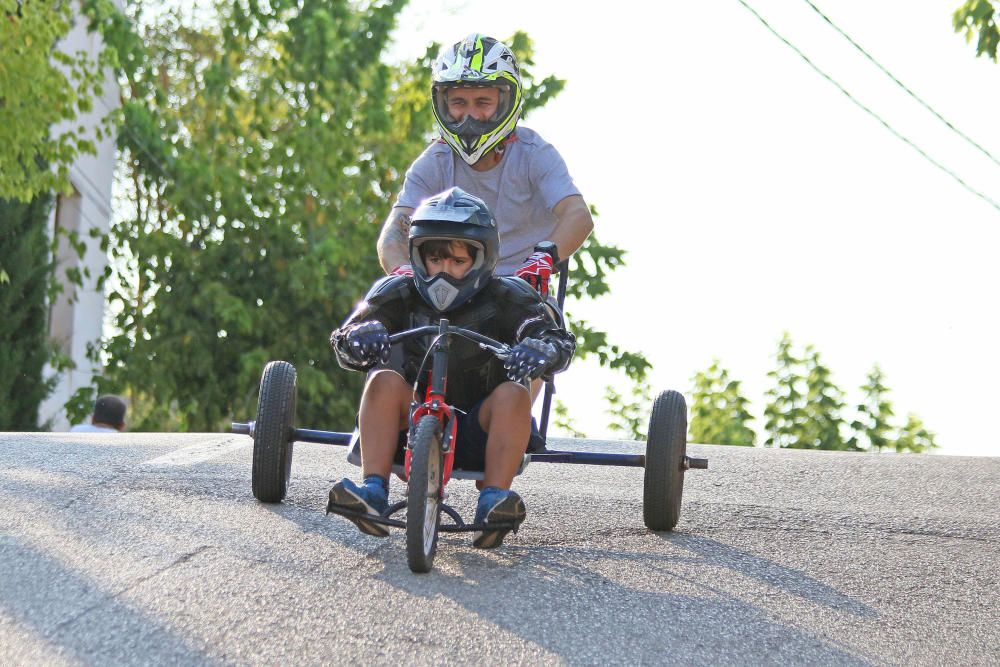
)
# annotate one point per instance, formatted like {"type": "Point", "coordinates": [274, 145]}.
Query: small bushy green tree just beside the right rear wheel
{"type": "Point", "coordinates": [719, 413]}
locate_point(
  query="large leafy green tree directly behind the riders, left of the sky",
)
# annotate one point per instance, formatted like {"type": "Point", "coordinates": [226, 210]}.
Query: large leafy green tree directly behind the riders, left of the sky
{"type": "Point", "coordinates": [262, 149]}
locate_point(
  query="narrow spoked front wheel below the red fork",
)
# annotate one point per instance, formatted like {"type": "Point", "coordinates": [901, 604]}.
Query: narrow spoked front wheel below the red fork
{"type": "Point", "coordinates": [423, 496]}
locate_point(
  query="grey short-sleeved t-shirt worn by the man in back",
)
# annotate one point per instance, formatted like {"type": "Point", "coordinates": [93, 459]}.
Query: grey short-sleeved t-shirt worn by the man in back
{"type": "Point", "coordinates": [532, 178]}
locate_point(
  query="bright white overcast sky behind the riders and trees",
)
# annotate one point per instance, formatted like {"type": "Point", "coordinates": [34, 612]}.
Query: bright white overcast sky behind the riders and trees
{"type": "Point", "coordinates": [753, 197]}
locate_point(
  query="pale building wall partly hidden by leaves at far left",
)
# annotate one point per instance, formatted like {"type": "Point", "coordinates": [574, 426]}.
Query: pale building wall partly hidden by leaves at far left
{"type": "Point", "coordinates": [78, 324]}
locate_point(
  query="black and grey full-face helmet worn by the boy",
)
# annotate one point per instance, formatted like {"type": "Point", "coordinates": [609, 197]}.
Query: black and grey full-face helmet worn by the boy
{"type": "Point", "coordinates": [454, 215]}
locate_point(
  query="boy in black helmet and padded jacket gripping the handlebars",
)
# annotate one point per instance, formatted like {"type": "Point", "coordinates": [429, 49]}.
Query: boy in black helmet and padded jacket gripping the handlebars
{"type": "Point", "coordinates": [454, 248]}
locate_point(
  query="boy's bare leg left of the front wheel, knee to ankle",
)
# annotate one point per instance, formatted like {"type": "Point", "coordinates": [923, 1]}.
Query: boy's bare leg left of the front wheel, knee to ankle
{"type": "Point", "coordinates": [385, 410]}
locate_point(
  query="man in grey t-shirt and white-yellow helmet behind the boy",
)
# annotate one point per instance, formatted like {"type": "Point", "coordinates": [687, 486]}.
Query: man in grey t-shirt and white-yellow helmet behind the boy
{"type": "Point", "coordinates": [541, 215]}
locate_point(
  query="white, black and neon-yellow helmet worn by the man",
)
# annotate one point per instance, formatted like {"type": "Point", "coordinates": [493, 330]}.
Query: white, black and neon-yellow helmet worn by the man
{"type": "Point", "coordinates": [481, 61]}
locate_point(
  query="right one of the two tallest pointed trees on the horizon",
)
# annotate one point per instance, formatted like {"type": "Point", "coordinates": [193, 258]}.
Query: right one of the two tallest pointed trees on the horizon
{"type": "Point", "coordinates": [824, 402]}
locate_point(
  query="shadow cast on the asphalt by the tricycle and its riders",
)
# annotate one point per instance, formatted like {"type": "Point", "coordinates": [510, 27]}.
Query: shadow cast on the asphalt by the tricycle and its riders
{"type": "Point", "coordinates": [577, 602]}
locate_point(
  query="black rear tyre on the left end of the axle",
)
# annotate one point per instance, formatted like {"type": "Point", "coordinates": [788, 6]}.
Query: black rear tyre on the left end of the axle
{"type": "Point", "coordinates": [272, 439]}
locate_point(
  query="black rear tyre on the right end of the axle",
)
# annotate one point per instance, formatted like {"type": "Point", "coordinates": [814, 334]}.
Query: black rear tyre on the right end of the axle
{"type": "Point", "coordinates": [666, 447]}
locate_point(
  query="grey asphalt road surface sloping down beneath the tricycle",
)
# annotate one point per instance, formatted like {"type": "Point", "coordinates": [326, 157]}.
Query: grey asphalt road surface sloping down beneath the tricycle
{"type": "Point", "coordinates": [150, 549]}
